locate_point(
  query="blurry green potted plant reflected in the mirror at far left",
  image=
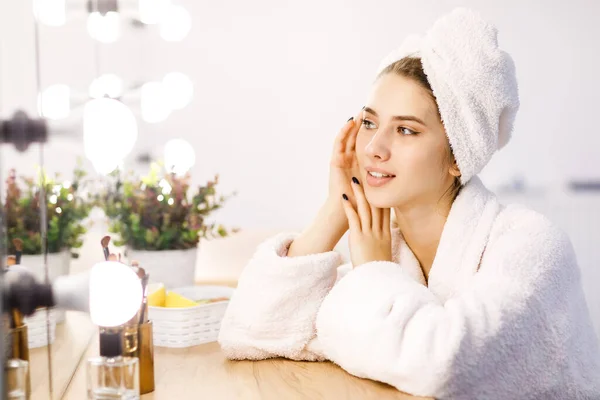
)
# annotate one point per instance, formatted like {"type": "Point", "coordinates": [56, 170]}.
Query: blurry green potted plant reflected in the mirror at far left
{"type": "Point", "coordinates": [67, 206]}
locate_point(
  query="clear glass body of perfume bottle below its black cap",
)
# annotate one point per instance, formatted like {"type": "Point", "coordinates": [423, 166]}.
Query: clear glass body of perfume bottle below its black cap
{"type": "Point", "coordinates": [113, 378]}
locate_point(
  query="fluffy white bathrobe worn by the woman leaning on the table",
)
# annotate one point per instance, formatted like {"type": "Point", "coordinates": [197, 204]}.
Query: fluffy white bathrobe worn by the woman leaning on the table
{"type": "Point", "coordinates": [503, 315]}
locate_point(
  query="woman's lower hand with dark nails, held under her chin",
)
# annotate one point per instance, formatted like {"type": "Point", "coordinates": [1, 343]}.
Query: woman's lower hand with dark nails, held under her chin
{"type": "Point", "coordinates": [370, 235]}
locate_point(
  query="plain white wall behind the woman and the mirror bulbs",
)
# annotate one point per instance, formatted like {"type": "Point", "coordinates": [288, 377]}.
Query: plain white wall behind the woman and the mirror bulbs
{"type": "Point", "coordinates": [275, 81]}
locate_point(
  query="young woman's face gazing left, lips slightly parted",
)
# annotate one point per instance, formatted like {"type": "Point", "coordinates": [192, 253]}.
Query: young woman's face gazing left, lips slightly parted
{"type": "Point", "coordinates": [403, 138]}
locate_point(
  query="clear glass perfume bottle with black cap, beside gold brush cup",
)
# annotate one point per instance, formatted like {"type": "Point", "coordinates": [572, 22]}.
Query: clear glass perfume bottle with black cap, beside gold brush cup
{"type": "Point", "coordinates": [112, 376]}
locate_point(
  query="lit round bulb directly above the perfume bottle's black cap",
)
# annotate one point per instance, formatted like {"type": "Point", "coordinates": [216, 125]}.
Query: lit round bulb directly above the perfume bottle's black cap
{"type": "Point", "coordinates": [115, 293]}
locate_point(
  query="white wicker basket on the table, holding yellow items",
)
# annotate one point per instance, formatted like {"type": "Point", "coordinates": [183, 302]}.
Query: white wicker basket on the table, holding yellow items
{"type": "Point", "coordinates": [191, 326]}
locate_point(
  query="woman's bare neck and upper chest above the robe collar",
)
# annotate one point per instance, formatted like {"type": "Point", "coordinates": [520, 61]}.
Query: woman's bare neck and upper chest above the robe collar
{"type": "Point", "coordinates": [422, 229]}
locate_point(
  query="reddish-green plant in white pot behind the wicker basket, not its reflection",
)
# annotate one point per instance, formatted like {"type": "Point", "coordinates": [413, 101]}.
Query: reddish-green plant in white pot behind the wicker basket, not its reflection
{"type": "Point", "coordinates": [160, 220]}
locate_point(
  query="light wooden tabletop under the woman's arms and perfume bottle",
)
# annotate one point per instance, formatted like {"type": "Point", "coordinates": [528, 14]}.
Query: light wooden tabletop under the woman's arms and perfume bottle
{"type": "Point", "coordinates": [202, 372]}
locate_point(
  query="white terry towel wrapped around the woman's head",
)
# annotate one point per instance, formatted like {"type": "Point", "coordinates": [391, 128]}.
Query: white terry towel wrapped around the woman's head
{"type": "Point", "coordinates": [473, 81]}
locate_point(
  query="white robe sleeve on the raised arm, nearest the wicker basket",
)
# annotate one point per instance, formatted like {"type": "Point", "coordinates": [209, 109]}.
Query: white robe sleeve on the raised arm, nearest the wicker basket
{"type": "Point", "coordinates": [274, 308]}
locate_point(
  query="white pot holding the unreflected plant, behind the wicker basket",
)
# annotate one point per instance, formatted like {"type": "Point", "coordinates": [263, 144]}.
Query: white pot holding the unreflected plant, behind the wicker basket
{"type": "Point", "coordinates": [174, 268]}
